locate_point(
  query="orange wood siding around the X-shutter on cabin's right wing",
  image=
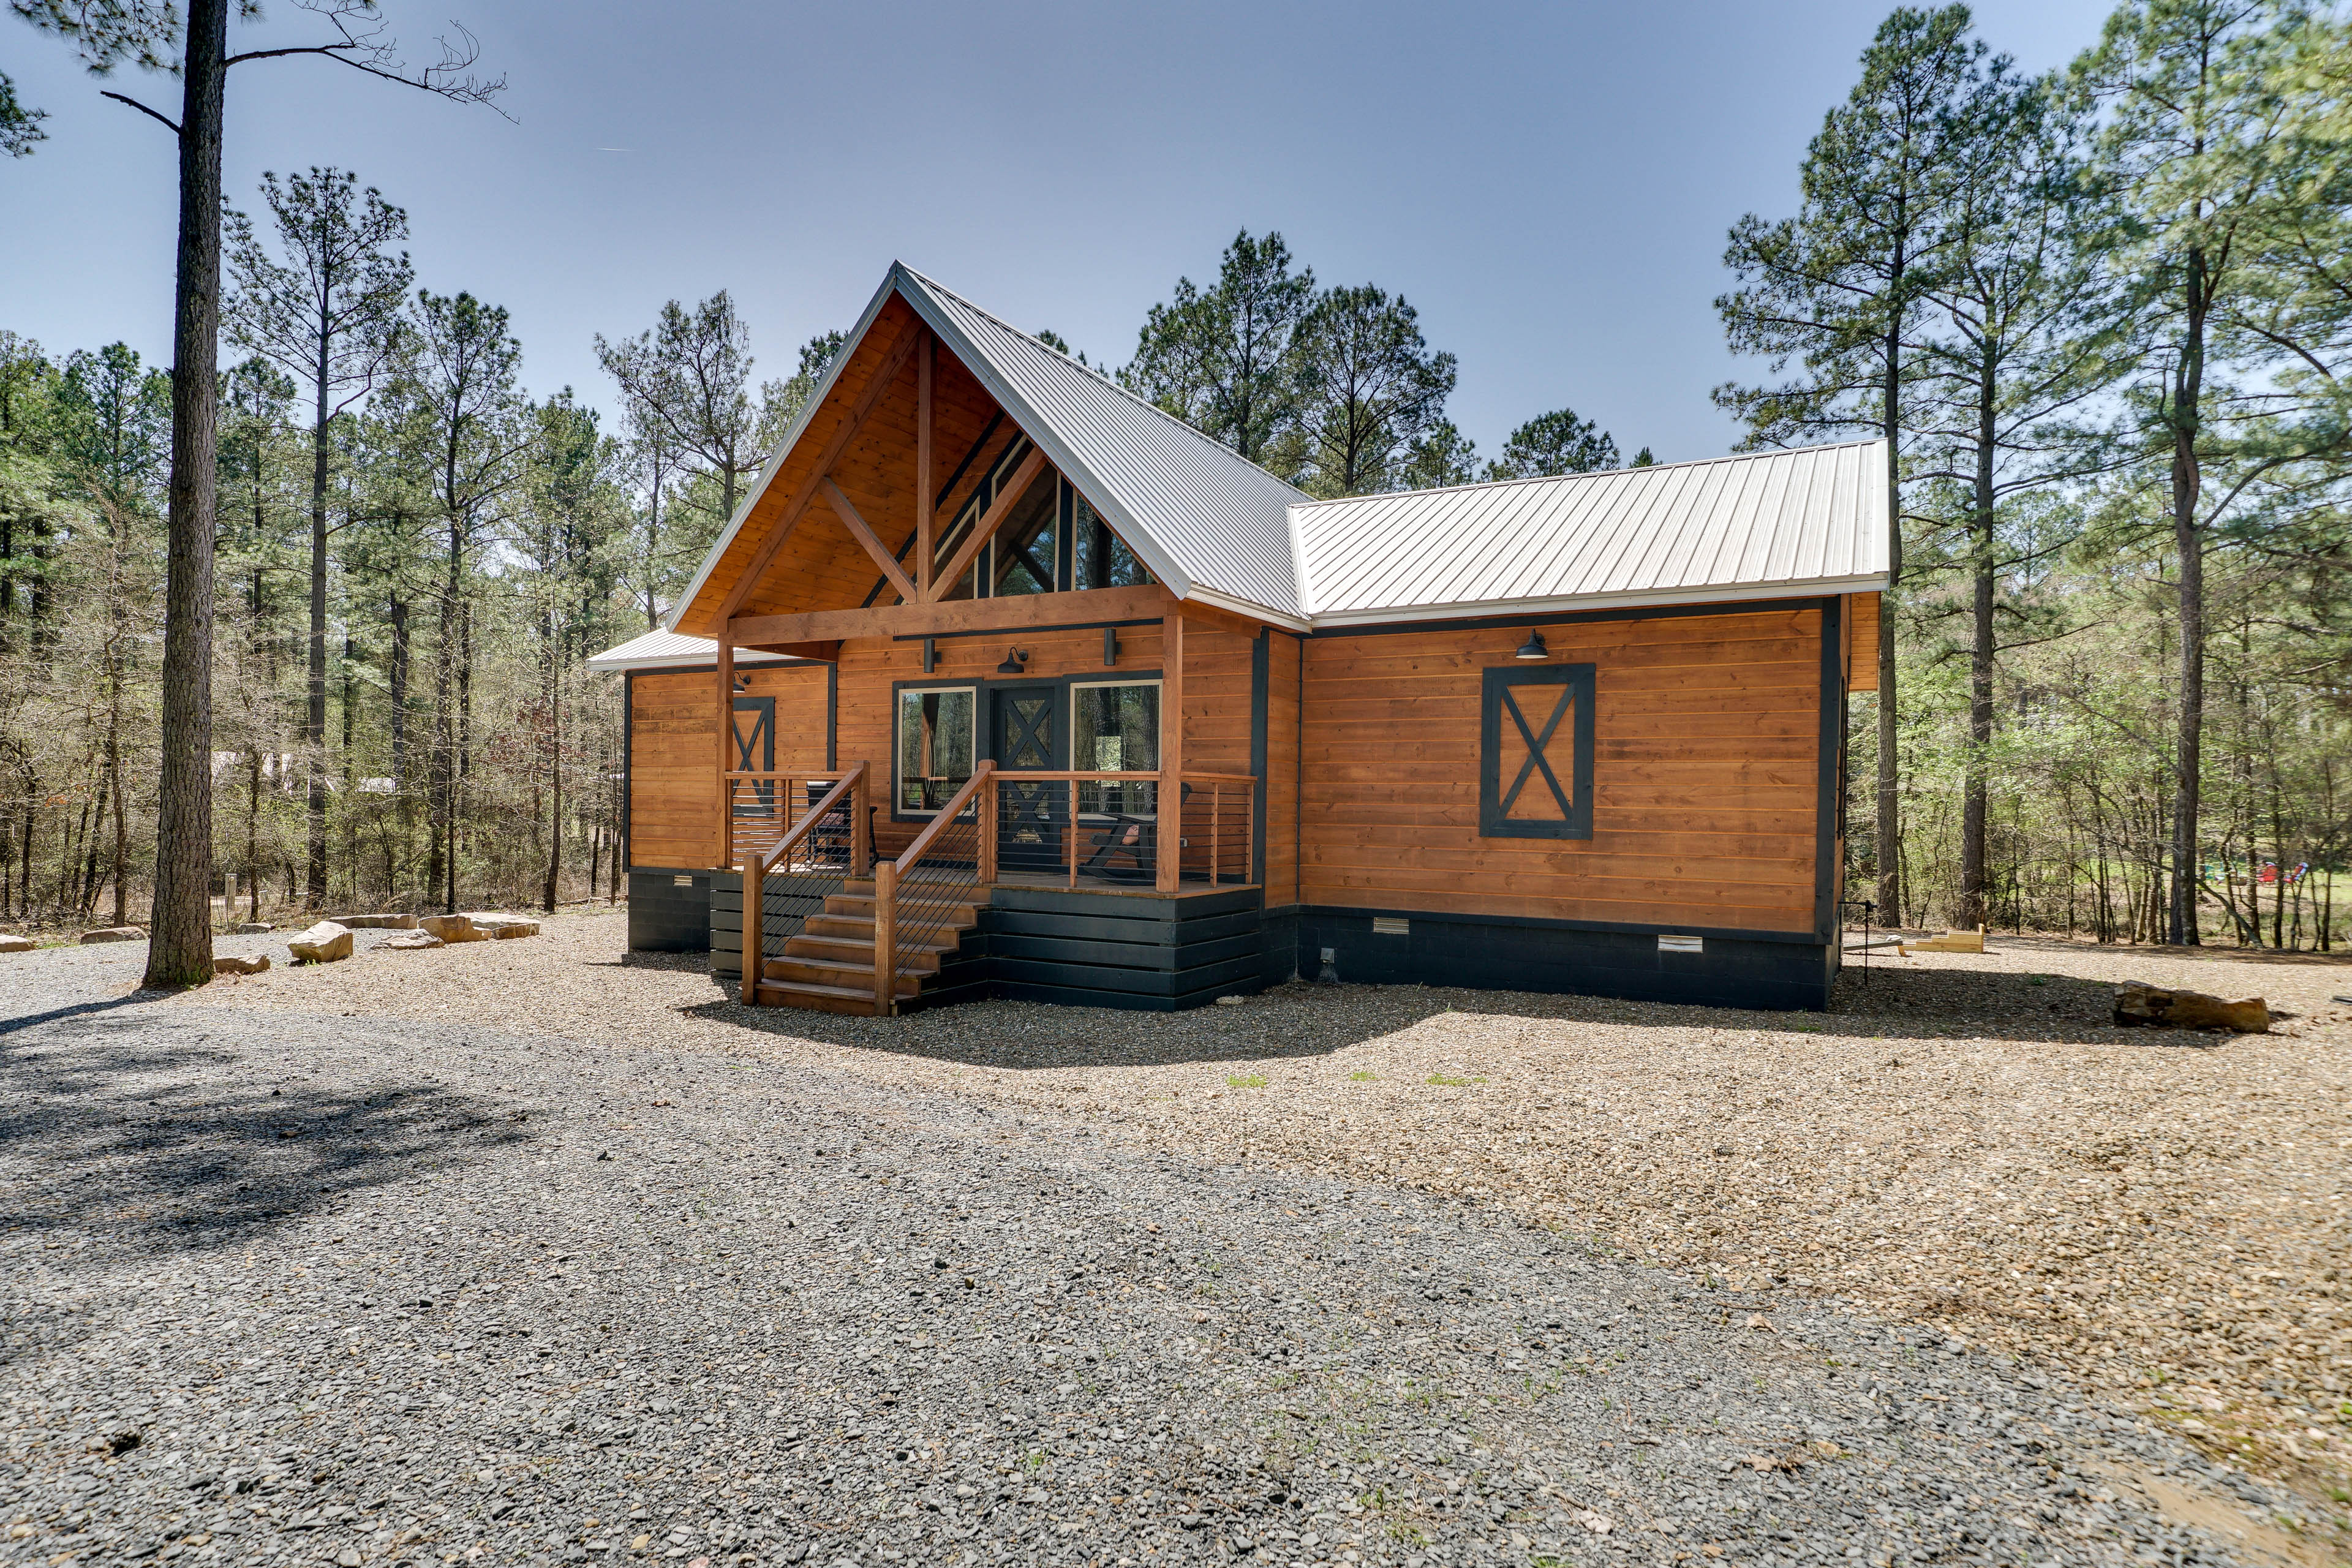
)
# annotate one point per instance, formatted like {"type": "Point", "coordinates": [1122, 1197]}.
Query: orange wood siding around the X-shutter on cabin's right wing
{"type": "Point", "coordinates": [1706, 753]}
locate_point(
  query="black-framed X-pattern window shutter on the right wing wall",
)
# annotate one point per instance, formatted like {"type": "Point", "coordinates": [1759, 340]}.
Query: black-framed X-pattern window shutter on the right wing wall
{"type": "Point", "coordinates": [1535, 753]}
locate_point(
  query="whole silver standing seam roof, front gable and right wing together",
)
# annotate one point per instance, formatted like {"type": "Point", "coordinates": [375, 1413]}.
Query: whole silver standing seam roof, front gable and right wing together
{"type": "Point", "coordinates": [1220, 530]}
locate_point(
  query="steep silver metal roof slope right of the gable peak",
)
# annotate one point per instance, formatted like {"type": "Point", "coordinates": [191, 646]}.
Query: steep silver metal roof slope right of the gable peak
{"type": "Point", "coordinates": [1210, 523]}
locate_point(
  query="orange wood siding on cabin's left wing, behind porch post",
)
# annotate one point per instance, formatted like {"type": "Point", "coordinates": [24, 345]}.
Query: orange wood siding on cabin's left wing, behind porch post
{"type": "Point", "coordinates": [674, 796]}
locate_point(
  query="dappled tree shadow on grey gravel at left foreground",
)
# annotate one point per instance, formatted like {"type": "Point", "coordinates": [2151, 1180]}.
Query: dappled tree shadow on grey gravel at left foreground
{"type": "Point", "coordinates": [142, 1144]}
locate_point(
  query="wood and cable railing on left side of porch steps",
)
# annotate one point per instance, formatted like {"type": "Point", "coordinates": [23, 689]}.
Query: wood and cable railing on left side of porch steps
{"type": "Point", "coordinates": [806, 831]}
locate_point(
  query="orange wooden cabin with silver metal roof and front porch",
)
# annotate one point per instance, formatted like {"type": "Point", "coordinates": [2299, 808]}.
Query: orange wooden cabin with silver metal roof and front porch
{"type": "Point", "coordinates": [1008, 685]}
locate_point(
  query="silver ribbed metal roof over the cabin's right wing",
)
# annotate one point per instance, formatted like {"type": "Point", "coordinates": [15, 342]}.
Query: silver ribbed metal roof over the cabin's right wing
{"type": "Point", "coordinates": [1742, 528]}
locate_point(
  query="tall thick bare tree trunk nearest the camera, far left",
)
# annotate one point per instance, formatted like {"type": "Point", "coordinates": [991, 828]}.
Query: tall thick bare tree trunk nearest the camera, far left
{"type": "Point", "coordinates": [182, 925]}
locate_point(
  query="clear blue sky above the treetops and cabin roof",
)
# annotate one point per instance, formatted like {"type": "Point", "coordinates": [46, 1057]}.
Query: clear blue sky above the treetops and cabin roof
{"type": "Point", "coordinates": [1549, 185]}
